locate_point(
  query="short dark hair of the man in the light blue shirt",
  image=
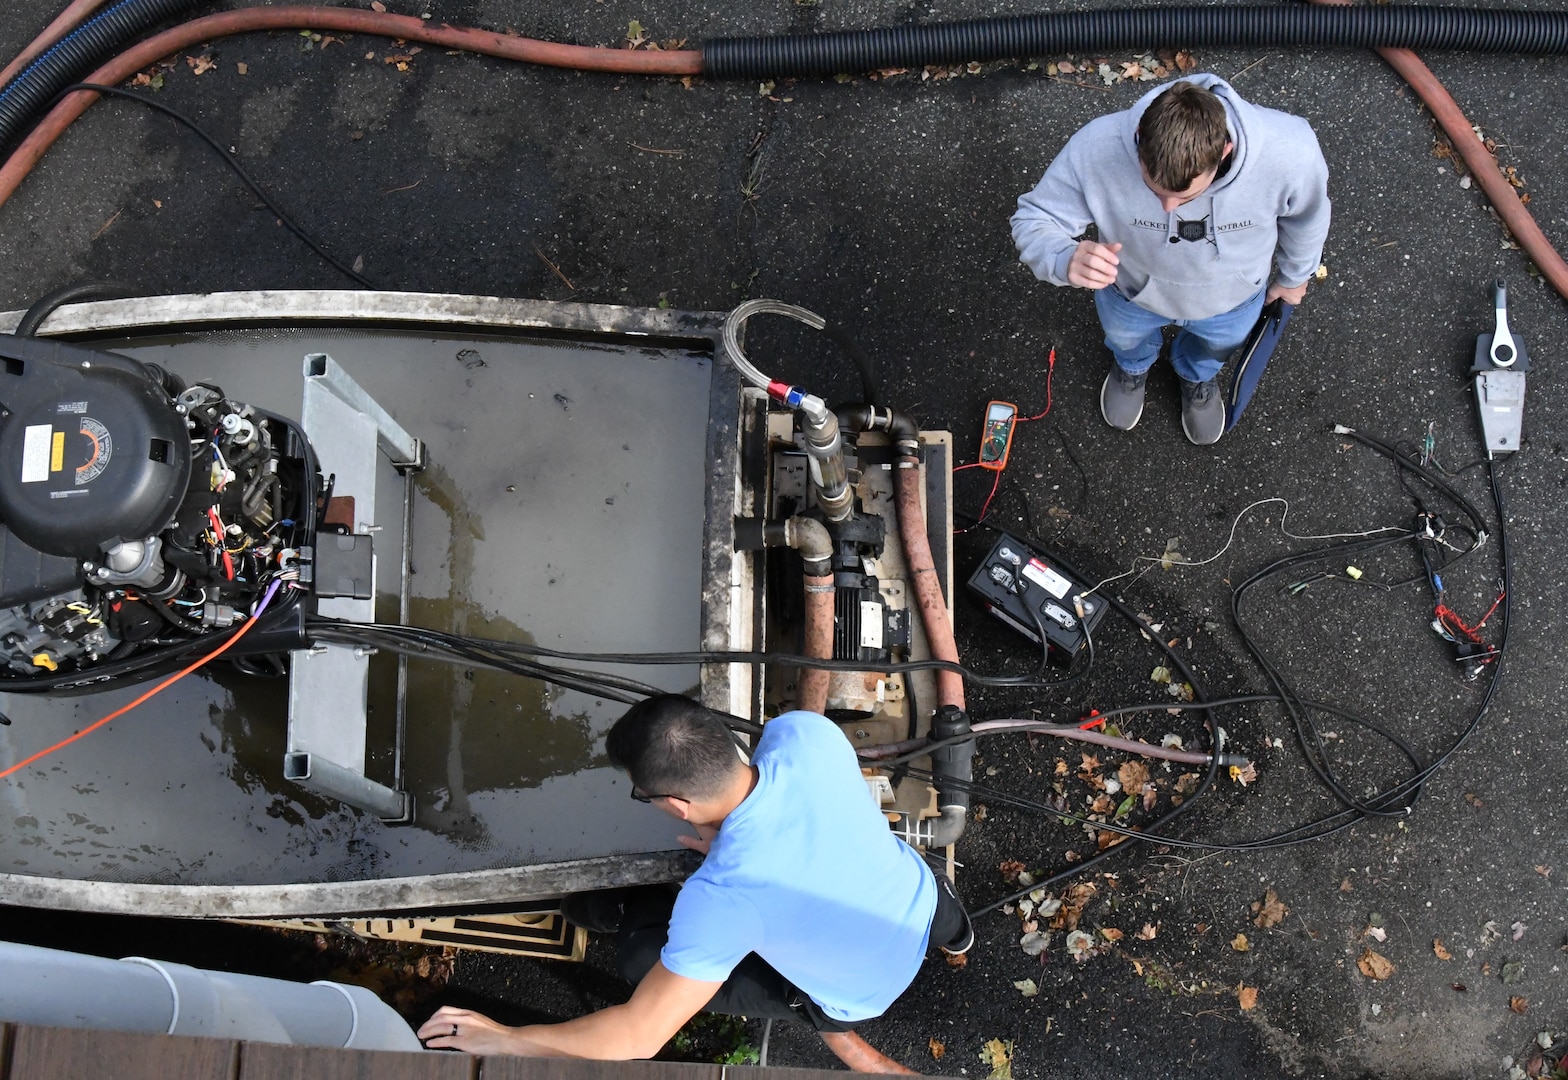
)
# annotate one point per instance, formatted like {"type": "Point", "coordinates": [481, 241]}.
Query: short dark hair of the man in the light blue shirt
{"type": "Point", "coordinates": [672, 745]}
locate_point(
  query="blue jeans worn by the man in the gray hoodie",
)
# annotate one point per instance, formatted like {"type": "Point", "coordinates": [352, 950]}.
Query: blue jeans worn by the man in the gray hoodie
{"type": "Point", "coordinates": [1133, 335]}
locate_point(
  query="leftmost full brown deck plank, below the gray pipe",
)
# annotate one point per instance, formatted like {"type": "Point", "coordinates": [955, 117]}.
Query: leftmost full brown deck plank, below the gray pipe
{"type": "Point", "coordinates": [60, 1054]}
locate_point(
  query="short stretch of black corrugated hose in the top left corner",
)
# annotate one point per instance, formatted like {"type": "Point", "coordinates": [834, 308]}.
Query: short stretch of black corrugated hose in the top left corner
{"type": "Point", "coordinates": [74, 56]}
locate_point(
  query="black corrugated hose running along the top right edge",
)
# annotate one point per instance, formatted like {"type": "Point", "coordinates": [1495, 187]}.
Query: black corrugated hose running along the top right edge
{"type": "Point", "coordinates": [1047, 35]}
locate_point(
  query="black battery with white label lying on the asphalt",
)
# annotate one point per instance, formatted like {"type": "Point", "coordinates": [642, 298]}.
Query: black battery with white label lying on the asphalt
{"type": "Point", "coordinates": [1029, 593]}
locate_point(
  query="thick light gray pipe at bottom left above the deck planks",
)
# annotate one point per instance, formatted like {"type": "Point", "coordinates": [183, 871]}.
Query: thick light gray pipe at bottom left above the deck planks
{"type": "Point", "coordinates": [56, 988]}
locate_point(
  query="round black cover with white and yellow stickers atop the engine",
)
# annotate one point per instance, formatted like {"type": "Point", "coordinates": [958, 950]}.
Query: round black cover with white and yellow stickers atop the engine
{"type": "Point", "coordinates": [92, 449]}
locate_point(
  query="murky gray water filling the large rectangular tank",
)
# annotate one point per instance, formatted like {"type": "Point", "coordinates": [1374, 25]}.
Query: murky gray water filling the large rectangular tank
{"type": "Point", "coordinates": [564, 506]}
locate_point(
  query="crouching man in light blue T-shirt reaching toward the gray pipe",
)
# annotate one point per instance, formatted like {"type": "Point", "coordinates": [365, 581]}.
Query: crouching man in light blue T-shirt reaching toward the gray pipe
{"type": "Point", "coordinates": [807, 905]}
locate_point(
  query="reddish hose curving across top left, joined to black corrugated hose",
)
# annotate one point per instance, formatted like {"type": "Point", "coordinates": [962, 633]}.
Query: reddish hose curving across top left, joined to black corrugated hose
{"type": "Point", "coordinates": [227, 24]}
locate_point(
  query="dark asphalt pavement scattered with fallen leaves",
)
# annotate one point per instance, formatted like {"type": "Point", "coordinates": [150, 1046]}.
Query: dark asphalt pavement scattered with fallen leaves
{"type": "Point", "coordinates": [884, 205]}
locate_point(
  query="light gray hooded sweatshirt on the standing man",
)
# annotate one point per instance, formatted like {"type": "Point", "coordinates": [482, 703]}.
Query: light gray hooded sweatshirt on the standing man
{"type": "Point", "coordinates": [1203, 258]}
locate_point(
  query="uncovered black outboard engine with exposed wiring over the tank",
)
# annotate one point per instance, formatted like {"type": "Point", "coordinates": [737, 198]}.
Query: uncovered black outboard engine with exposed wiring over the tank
{"type": "Point", "coordinates": [137, 513]}
